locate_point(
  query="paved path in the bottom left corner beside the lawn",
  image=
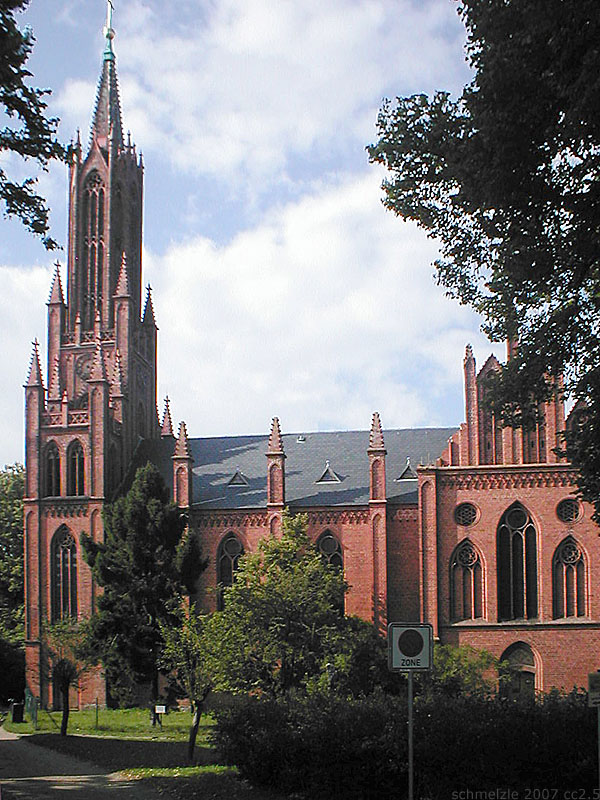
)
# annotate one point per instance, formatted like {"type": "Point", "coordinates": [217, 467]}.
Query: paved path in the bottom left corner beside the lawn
{"type": "Point", "coordinates": [29, 772]}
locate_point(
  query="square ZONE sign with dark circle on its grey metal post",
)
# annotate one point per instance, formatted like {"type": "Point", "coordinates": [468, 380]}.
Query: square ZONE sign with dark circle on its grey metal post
{"type": "Point", "coordinates": [410, 649]}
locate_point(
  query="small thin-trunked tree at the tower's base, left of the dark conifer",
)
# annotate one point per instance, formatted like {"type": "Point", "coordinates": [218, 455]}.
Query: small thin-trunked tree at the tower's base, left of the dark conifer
{"type": "Point", "coordinates": [65, 644]}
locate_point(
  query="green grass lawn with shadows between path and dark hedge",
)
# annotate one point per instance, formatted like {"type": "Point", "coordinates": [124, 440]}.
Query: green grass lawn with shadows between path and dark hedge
{"type": "Point", "coordinates": [125, 741]}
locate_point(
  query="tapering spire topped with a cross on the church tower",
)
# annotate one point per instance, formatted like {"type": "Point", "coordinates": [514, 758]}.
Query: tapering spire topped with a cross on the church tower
{"type": "Point", "coordinates": [106, 123]}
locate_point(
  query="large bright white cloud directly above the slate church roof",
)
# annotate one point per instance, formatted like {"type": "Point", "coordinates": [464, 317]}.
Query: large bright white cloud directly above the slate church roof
{"type": "Point", "coordinates": [323, 313]}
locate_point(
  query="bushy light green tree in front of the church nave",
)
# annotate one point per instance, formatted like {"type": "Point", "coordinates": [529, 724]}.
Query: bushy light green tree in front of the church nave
{"type": "Point", "coordinates": [280, 616]}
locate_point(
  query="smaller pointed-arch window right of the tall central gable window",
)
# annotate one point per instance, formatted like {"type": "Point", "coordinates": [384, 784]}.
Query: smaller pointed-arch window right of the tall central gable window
{"type": "Point", "coordinates": [568, 580]}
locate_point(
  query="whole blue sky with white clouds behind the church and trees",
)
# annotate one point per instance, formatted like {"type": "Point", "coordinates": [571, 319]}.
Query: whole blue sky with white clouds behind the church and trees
{"type": "Point", "coordinates": [281, 286]}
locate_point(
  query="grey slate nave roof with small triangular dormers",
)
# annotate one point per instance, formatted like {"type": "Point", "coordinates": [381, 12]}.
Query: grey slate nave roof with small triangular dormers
{"type": "Point", "coordinates": [217, 459]}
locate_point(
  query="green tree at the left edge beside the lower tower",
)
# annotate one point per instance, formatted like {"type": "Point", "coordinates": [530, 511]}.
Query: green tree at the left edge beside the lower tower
{"type": "Point", "coordinates": [12, 483]}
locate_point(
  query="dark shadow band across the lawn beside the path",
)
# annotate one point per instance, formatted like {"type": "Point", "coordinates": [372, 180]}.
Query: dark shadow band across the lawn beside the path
{"type": "Point", "coordinates": [116, 755]}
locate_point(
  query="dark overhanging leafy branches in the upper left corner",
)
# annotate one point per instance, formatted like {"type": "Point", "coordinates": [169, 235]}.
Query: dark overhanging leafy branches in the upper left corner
{"type": "Point", "coordinates": [33, 134]}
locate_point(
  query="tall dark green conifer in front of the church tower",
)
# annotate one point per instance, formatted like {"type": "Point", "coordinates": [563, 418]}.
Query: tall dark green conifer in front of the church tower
{"type": "Point", "coordinates": [148, 559]}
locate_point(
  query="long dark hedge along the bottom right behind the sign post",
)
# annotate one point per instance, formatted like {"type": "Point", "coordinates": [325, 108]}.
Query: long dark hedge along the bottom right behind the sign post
{"type": "Point", "coordinates": [357, 748]}
